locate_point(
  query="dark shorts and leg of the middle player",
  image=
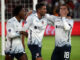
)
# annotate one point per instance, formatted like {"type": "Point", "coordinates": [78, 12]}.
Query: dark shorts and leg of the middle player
{"type": "Point", "coordinates": [35, 51]}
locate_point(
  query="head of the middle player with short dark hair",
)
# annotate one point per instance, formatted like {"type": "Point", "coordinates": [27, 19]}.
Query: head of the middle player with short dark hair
{"type": "Point", "coordinates": [41, 8]}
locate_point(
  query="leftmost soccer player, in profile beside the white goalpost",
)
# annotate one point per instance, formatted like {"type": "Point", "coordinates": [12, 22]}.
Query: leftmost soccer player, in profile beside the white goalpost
{"type": "Point", "coordinates": [14, 46]}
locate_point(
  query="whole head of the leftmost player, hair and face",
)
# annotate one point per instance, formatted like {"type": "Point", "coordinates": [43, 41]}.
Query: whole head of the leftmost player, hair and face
{"type": "Point", "coordinates": [19, 11]}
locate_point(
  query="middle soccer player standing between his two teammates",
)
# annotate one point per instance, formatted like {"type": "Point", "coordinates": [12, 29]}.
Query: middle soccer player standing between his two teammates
{"type": "Point", "coordinates": [36, 24]}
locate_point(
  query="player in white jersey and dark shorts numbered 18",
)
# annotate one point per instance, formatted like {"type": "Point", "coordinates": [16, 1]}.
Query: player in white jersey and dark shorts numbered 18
{"type": "Point", "coordinates": [63, 28]}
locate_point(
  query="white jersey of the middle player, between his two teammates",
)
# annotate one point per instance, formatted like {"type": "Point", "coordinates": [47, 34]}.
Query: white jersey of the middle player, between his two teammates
{"type": "Point", "coordinates": [36, 28]}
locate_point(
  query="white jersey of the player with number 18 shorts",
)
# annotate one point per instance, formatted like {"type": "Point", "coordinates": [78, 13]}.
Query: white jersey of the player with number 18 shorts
{"type": "Point", "coordinates": [63, 29]}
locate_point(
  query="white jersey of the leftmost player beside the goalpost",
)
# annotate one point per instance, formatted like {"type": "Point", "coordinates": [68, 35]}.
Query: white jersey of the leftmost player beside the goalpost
{"type": "Point", "coordinates": [14, 42]}
